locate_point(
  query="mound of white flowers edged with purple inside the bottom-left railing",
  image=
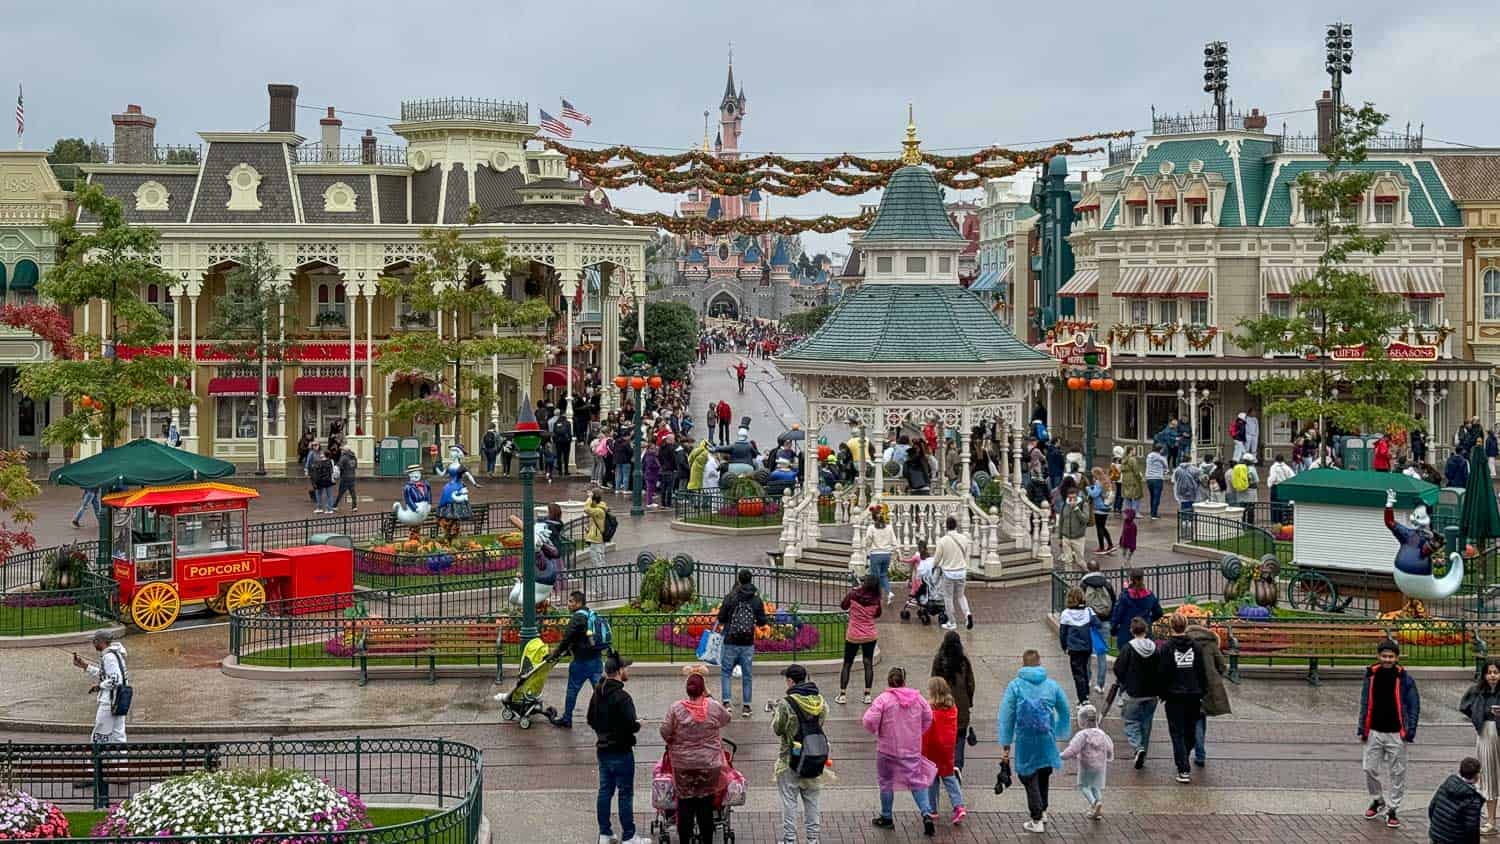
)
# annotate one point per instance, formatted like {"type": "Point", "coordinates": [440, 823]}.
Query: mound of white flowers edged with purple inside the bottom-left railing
{"type": "Point", "coordinates": [238, 803]}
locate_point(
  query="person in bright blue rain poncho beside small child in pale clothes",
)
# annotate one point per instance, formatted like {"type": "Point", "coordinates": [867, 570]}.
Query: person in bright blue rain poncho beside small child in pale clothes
{"type": "Point", "coordinates": [1034, 713]}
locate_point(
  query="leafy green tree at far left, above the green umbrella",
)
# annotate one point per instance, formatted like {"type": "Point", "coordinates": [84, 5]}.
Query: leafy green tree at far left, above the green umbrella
{"type": "Point", "coordinates": [112, 265]}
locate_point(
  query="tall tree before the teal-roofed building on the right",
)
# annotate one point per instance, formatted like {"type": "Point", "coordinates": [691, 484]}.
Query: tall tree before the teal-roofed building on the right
{"type": "Point", "coordinates": [1339, 308]}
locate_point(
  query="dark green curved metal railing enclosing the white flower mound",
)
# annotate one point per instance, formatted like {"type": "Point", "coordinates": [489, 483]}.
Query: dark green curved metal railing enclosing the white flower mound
{"type": "Point", "coordinates": [439, 774]}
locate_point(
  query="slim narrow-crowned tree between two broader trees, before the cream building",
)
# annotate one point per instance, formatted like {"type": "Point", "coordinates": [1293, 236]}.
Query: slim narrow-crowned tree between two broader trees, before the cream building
{"type": "Point", "coordinates": [250, 323]}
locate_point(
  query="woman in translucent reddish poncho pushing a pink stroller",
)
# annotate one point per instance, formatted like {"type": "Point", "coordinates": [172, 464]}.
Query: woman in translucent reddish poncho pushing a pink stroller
{"type": "Point", "coordinates": [691, 732]}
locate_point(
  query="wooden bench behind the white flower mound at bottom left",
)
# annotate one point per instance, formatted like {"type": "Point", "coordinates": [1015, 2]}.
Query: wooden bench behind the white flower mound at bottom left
{"type": "Point", "coordinates": [101, 765]}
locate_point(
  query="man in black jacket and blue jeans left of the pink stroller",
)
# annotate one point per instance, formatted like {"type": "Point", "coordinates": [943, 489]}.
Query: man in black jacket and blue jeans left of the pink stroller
{"type": "Point", "coordinates": [613, 716]}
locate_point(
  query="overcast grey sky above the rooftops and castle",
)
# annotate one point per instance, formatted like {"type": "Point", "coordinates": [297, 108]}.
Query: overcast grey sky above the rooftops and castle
{"type": "Point", "coordinates": [821, 77]}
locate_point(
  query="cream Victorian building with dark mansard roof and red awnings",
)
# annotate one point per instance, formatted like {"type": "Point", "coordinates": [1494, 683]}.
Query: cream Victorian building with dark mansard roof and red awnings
{"type": "Point", "coordinates": [337, 220]}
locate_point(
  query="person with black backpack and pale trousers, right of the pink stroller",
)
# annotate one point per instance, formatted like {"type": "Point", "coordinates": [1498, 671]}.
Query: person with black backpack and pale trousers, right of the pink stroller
{"type": "Point", "coordinates": [803, 756]}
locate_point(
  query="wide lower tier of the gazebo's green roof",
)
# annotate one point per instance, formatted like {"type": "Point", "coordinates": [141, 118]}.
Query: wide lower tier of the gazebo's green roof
{"type": "Point", "coordinates": [917, 323]}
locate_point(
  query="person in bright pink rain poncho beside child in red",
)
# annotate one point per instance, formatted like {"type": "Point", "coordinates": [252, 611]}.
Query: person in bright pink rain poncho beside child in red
{"type": "Point", "coordinates": [898, 720]}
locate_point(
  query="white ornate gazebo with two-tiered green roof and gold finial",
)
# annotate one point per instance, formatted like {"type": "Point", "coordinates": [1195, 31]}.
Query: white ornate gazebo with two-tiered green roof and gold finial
{"type": "Point", "coordinates": [913, 347]}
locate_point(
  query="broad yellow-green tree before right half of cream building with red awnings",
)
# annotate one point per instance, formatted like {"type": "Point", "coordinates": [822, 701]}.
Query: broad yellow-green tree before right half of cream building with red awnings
{"type": "Point", "coordinates": [449, 283]}
